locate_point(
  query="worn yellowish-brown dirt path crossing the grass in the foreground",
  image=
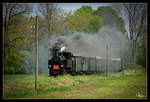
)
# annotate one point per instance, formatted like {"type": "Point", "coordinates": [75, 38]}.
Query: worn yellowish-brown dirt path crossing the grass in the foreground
{"type": "Point", "coordinates": [77, 92]}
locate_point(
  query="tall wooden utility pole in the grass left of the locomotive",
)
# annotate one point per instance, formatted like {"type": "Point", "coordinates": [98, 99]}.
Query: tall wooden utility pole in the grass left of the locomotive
{"type": "Point", "coordinates": [36, 58]}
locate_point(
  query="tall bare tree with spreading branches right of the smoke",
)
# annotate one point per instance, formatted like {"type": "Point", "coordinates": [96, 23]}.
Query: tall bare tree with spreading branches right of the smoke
{"type": "Point", "coordinates": [135, 14]}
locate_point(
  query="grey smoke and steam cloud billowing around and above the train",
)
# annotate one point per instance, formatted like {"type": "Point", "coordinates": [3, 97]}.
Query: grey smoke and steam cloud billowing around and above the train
{"type": "Point", "coordinates": [82, 44]}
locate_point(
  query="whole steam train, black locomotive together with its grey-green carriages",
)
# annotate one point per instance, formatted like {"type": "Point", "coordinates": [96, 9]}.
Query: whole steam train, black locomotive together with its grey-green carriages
{"type": "Point", "coordinates": [63, 62]}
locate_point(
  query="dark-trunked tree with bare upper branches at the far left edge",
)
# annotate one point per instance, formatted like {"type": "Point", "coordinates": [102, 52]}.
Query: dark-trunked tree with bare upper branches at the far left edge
{"type": "Point", "coordinates": [10, 10]}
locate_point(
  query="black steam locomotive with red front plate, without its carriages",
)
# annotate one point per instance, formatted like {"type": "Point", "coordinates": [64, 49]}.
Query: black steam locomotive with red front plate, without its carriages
{"type": "Point", "coordinates": [58, 63]}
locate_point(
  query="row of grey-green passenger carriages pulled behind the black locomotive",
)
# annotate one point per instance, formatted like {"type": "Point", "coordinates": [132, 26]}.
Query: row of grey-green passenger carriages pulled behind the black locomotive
{"type": "Point", "coordinates": [81, 64]}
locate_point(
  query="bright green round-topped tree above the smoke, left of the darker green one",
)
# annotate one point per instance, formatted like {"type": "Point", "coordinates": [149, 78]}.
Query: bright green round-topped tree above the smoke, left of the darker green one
{"type": "Point", "coordinates": [83, 20]}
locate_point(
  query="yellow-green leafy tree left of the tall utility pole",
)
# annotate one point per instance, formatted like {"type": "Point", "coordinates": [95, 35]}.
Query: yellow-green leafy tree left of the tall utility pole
{"type": "Point", "coordinates": [18, 48]}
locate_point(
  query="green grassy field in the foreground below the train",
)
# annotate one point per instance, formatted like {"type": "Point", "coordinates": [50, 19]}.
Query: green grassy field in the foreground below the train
{"type": "Point", "coordinates": [96, 86]}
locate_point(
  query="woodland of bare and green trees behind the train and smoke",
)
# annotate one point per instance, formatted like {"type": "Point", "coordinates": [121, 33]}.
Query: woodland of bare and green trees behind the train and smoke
{"type": "Point", "coordinates": [19, 31]}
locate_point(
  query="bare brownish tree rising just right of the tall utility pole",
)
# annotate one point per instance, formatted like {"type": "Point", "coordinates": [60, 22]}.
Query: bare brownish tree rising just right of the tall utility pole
{"type": "Point", "coordinates": [51, 17]}
